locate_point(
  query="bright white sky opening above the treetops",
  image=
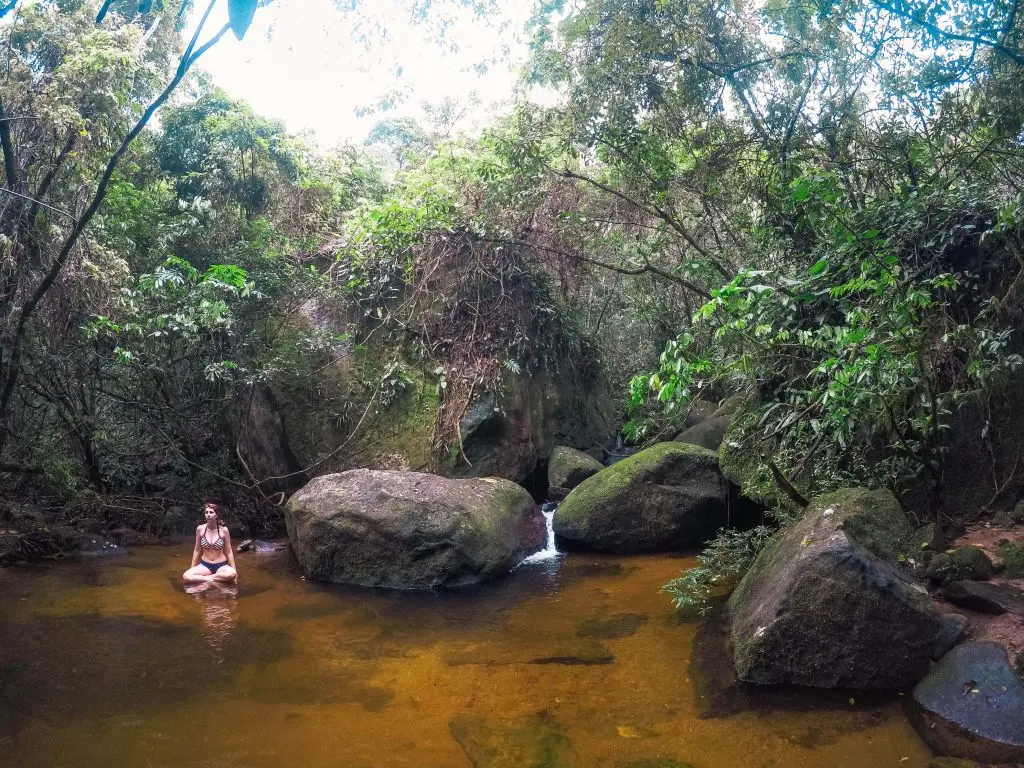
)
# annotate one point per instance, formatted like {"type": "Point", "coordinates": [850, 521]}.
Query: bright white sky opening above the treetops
{"type": "Point", "coordinates": [318, 68]}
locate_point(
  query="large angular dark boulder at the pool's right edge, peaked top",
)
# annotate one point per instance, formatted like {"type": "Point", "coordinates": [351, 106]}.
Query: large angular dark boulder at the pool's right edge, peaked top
{"type": "Point", "coordinates": [826, 606]}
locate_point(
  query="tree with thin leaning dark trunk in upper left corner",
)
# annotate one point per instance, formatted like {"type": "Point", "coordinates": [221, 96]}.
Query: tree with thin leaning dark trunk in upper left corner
{"type": "Point", "coordinates": [84, 90]}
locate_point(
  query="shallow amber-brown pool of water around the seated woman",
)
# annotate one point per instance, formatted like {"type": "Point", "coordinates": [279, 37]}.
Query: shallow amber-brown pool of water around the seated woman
{"type": "Point", "coordinates": [576, 662]}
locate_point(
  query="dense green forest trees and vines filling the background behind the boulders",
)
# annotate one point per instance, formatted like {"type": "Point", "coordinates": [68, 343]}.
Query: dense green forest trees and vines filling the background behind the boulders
{"type": "Point", "coordinates": [816, 206]}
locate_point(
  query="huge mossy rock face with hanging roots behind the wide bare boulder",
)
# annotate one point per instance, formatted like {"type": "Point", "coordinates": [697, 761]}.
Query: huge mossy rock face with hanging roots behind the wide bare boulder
{"type": "Point", "coordinates": [377, 406]}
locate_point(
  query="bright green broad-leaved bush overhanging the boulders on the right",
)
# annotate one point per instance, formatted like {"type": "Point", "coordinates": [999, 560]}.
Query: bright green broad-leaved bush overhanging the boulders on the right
{"type": "Point", "coordinates": [873, 347]}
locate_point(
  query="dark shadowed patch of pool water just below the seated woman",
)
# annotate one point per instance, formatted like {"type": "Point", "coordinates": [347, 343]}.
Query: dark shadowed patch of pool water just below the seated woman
{"type": "Point", "coordinates": [65, 668]}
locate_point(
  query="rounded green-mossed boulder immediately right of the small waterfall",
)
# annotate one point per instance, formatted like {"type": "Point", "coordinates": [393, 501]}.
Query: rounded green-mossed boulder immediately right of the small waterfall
{"type": "Point", "coordinates": [668, 497]}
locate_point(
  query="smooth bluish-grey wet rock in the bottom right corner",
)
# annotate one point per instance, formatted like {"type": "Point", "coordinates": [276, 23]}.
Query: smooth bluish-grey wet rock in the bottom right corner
{"type": "Point", "coordinates": [971, 706]}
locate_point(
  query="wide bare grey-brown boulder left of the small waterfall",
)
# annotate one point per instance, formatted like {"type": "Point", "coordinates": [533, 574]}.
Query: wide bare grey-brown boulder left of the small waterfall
{"type": "Point", "coordinates": [411, 531]}
